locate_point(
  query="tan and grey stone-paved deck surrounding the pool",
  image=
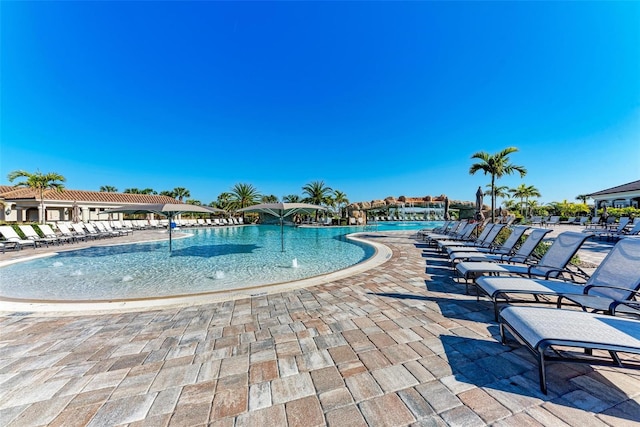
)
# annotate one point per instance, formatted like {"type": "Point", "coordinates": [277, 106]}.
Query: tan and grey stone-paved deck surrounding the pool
{"type": "Point", "coordinates": [399, 344]}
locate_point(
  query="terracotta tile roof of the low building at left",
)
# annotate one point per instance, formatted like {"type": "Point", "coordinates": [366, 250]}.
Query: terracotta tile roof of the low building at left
{"type": "Point", "coordinates": [16, 193]}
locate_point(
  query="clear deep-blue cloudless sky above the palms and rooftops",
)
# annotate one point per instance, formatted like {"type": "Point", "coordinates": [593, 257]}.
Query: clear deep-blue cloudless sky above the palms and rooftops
{"type": "Point", "coordinates": [373, 98]}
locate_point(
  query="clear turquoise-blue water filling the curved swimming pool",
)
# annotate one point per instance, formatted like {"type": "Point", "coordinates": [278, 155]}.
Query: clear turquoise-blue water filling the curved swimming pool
{"type": "Point", "coordinates": [213, 259]}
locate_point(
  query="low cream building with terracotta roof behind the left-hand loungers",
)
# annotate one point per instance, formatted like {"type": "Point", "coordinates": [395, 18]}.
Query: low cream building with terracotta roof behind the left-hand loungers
{"type": "Point", "coordinates": [20, 204]}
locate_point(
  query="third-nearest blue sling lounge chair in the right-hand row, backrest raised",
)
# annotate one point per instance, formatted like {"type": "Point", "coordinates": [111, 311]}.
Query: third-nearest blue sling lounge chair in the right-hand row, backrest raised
{"type": "Point", "coordinates": [551, 265]}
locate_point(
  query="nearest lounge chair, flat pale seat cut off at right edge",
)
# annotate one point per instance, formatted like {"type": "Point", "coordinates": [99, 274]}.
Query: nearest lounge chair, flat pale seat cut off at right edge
{"type": "Point", "coordinates": [543, 330]}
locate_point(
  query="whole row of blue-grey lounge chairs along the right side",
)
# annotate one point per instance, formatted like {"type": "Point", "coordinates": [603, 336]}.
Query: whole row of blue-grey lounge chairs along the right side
{"type": "Point", "coordinates": [607, 323]}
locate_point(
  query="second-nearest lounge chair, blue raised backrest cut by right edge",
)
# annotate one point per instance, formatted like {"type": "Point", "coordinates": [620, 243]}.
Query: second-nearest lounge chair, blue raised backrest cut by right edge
{"type": "Point", "coordinates": [617, 278]}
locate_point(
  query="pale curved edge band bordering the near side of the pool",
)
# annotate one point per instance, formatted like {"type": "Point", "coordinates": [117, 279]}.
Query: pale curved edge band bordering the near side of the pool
{"type": "Point", "coordinates": [8, 306]}
